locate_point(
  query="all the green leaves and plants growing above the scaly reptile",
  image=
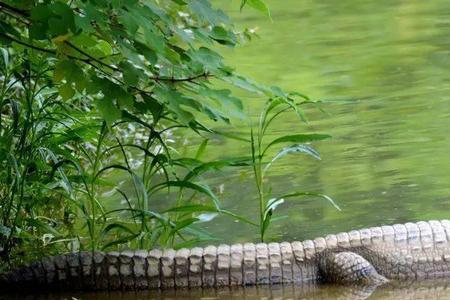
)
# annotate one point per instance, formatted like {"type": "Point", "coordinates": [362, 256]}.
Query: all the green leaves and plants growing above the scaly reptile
{"type": "Point", "coordinates": [92, 95]}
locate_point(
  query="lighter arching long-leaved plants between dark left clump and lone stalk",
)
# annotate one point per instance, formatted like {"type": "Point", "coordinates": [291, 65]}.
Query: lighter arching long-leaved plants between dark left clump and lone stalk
{"type": "Point", "coordinates": [135, 224]}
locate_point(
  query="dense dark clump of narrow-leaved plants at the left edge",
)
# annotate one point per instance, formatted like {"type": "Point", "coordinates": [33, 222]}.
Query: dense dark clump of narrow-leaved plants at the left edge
{"type": "Point", "coordinates": [33, 181]}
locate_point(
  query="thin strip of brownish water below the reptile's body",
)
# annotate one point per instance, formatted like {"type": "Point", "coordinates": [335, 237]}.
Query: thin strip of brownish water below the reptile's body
{"type": "Point", "coordinates": [429, 291]}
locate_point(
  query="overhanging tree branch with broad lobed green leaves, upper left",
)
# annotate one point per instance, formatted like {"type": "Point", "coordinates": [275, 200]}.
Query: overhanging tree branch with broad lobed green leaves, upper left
{"type": "Point", "coordinates": [133, 57]}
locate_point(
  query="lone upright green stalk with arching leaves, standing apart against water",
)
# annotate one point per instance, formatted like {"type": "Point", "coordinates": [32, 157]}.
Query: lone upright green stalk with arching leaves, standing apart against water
{"type": "Point", "coordinates": [275, 108]}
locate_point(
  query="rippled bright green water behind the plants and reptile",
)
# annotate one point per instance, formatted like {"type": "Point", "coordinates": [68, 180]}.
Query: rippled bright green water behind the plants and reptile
{"type": "Point", "coordinates": [383, 69]}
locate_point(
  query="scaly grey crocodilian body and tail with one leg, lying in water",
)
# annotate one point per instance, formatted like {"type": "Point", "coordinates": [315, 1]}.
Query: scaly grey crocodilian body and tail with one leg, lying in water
{"type": "Point", "coordinates": [366, 257]}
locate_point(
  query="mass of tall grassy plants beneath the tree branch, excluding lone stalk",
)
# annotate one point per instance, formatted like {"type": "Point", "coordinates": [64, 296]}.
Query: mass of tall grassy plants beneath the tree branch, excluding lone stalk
{"type": "Point", "coordinates": [69, 181]}
